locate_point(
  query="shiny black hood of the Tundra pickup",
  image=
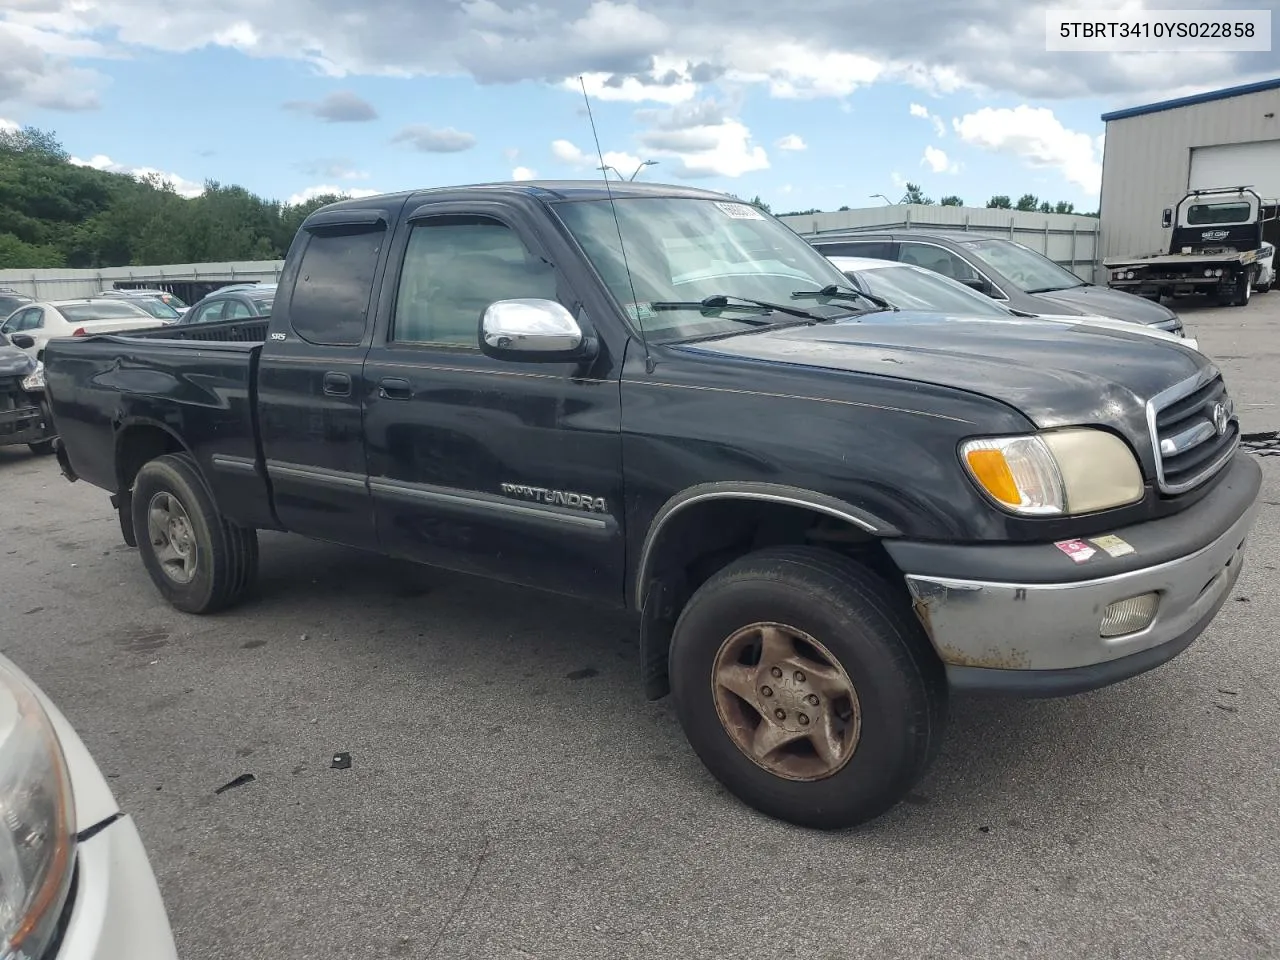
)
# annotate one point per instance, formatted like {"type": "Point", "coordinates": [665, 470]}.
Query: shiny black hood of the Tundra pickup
{"type": "Point", "coordinates": [1054, 374]}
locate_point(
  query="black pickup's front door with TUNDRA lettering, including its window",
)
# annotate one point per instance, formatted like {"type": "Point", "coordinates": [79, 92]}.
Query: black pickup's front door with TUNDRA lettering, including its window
{"type": "Point", "coordinates": [505, 469]}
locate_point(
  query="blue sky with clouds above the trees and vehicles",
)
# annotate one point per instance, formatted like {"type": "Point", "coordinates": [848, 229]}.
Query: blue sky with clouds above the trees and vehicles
{"type": "Point", "coordinates": [351, 102]}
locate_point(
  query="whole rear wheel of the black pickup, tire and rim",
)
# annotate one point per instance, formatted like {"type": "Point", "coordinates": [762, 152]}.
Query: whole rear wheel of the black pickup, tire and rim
{"type": "Point", "coordinates": [200, 563]}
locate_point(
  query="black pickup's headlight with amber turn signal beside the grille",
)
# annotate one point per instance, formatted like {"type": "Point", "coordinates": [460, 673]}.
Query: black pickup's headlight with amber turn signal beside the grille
{"type": "Point", "coordinates": [1080, 470]}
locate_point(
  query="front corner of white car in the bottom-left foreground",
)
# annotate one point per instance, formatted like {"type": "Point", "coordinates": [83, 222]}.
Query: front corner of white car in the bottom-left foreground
{"type": "Point", "coordinates": [75, 879]}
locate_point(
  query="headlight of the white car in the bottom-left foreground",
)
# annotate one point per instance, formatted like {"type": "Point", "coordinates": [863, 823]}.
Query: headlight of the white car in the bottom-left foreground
{"type": "Point", "coordinates": [38, 824]}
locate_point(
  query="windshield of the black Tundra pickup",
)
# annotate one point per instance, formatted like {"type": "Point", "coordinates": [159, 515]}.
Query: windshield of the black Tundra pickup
{"type": "Point", "coordinates": [685, 250]}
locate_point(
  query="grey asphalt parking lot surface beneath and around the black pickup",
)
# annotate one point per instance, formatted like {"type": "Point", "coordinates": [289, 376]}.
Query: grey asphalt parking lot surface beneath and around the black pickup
{"type": "Point", "coordinates": [511, 794]}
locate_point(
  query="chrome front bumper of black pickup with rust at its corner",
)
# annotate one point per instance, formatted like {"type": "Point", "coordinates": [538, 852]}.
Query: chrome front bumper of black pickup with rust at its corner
{"type": "Point", "coordinates": [1046, 639]}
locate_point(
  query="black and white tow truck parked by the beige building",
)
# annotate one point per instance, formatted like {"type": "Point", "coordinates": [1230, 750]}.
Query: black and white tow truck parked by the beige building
{"type": "Point", "coordinates": [1223, 245]}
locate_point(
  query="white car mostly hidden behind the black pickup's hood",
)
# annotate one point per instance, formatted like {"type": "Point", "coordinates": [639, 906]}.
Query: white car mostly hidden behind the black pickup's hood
{"type": "Point", "coordinates": [911, 287]}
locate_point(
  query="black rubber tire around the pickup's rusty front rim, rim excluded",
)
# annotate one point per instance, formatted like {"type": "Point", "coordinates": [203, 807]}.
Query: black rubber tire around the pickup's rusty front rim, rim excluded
{"type": "Point", "coordinates": [872, 633]}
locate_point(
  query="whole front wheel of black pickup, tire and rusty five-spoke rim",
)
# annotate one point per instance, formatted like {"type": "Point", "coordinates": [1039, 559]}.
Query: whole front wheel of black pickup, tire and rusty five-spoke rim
{"type": "Point", "coordinates": [807, 688]}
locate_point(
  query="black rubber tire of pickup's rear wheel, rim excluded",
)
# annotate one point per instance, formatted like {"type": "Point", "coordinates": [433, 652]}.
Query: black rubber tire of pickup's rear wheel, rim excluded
{"type": "Point", "coordinates": [226, 554]}
